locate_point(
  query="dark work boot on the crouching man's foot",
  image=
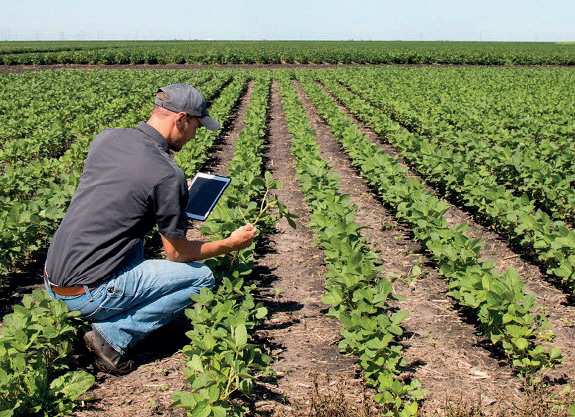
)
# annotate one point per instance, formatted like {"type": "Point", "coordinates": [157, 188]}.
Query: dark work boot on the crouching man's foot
{"type": "Point", "coordinates": [108, 359]}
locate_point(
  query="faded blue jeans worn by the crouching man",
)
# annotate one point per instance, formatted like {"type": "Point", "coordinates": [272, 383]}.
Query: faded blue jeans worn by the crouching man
{"type": "Point", "coordinates": [141, 296]}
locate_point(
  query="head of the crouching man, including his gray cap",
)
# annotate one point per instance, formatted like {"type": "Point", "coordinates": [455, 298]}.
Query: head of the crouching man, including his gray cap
{"type": "Point", "coordinates": [179, 110]}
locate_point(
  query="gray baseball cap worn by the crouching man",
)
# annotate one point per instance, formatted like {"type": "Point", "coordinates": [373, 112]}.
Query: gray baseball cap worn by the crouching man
{"type": "Point", "coordinates": [183, 97]}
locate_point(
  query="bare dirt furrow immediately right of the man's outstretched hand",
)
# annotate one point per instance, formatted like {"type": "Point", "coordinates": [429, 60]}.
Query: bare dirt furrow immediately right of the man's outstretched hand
{"type": "Point", "coordinates": [302, 339]}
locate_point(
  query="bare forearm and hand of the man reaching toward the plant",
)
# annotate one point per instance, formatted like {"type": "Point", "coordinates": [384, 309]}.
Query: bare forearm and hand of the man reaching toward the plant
{"type": "Point", "coordinates": [184, 250]}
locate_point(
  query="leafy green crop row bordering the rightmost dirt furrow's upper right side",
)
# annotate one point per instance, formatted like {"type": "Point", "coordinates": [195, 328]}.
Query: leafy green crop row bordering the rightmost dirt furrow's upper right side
{"type": "Point", "coordinates": [548, 241]}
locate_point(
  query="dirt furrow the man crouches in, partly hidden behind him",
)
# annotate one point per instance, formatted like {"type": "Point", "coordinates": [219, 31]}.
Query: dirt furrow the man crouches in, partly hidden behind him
{"type": "Point", "coordinates": [147, 391]}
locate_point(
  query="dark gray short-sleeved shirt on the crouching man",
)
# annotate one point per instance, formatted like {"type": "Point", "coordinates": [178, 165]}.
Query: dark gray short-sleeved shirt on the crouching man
{"type": "Point", "coordinates": [128, 185]}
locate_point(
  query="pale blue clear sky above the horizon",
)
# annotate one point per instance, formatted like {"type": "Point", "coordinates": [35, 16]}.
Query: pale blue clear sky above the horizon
{"type": "Point", "coordinates": [488, 20]}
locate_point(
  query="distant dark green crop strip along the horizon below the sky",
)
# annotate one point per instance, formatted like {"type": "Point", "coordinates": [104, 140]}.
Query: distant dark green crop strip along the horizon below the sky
{"type": "Point", "coordinates": [266, 52]}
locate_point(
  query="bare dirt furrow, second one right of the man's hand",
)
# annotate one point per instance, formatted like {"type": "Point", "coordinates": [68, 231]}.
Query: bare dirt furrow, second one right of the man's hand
{"type": "Point", "coordinates": [444, 350]}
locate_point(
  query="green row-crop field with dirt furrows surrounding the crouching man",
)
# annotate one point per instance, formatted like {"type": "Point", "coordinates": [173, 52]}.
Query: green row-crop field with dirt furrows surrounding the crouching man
{"type": "Point", "coordinates": [432, 262]}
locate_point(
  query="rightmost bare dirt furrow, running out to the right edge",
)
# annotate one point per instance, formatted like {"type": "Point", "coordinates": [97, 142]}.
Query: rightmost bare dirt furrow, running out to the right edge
{"type": "Point", "coordinates": [552, 301]}
